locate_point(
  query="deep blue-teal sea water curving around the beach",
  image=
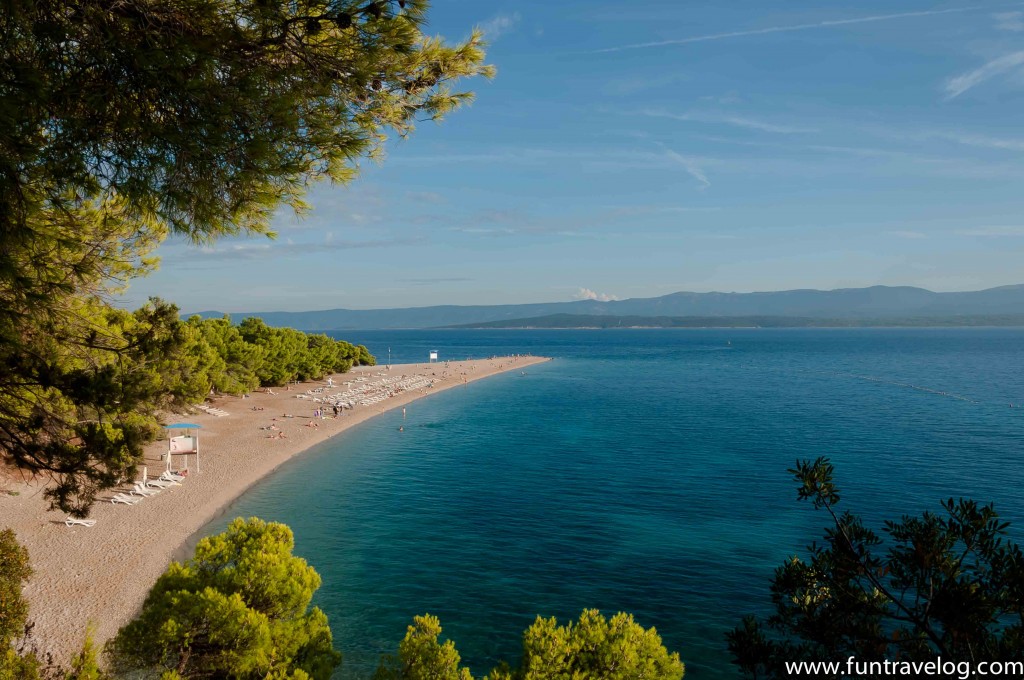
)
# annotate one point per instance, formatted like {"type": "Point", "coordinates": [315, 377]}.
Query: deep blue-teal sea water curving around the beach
{"type": "Point", "coordinates": [643, 471]}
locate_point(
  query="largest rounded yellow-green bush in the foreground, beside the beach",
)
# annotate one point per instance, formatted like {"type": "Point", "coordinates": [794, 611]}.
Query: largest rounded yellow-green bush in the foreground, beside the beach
{"type": "Point", "coordinates": [240, 609]}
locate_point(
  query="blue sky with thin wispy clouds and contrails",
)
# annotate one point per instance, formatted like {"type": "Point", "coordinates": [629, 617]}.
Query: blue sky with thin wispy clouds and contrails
{"type": "Point", "coordinates": [634, 150]}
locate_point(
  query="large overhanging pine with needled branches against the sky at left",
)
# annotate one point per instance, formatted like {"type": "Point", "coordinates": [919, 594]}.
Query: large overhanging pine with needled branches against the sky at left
{"type": "Point", "coordinates": [124, 122]}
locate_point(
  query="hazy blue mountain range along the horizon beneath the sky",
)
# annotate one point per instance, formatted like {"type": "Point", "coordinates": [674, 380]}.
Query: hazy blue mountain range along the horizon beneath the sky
{"type": "Point", "coordinates": [877, 303]}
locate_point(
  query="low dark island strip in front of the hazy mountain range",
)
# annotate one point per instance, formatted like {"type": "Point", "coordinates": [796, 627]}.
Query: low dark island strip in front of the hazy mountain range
{"type": "Point", "coordinates": [609, 322]}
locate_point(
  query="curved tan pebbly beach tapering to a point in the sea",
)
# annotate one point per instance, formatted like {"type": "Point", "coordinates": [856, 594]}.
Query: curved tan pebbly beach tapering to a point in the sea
{"type": "Point", "coordinates": [102, 575]}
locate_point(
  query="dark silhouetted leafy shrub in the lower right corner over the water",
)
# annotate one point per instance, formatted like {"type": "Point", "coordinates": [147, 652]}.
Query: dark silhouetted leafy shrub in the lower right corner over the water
{"type": "Point", "coordinates": [948, 584]}
